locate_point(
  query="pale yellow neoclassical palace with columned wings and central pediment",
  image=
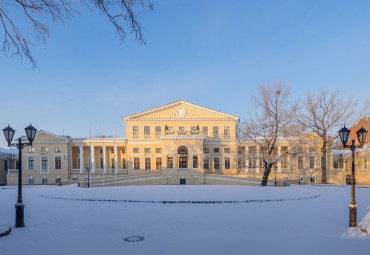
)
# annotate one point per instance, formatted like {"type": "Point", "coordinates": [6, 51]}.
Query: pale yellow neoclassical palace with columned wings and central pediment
{"type": "Point", "coordinates": [177, 143]}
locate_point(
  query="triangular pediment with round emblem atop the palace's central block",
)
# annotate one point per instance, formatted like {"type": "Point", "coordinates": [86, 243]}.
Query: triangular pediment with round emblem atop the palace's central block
{"type": "Point", "coordinates": [180, 110]}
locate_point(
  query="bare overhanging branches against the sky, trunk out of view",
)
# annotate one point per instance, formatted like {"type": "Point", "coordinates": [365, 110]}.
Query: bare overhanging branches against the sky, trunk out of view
{"type": "Point", "coordinates": [121, 13]}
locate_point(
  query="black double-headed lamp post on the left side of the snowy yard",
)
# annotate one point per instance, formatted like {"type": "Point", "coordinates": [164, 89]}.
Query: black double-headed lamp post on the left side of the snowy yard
{"type": "Point", "coordinates": [9, 134]}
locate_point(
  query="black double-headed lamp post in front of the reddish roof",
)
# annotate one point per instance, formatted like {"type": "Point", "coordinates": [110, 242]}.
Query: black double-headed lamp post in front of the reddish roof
{"type": "Point", "coordinates": [344, 135]}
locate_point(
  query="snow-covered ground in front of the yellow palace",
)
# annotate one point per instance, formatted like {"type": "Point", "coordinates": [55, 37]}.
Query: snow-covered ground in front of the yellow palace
{"type": "Point", "coordinates": [64, 226]}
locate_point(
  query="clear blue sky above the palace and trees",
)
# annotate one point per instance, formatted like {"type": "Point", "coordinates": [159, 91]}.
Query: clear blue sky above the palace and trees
{"type": "Point", "coordinates": [208, 52]}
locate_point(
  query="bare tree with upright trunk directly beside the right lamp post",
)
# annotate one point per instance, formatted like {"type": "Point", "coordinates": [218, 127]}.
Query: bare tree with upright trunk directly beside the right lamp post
{"type": "Point", "coordinates": [324, 114]}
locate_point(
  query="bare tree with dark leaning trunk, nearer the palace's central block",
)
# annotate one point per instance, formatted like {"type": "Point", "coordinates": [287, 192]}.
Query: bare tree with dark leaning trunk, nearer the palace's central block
{"type": "Point", "coordinates": [270, 123]}
